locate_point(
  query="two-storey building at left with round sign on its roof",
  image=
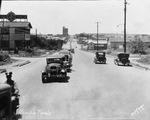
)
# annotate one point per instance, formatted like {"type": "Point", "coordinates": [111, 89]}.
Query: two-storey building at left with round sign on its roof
{"type": "Point", "coordinates": [14, 31]}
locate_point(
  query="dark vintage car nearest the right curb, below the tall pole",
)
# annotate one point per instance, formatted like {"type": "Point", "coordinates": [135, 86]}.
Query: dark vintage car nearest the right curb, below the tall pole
{"type": "Point", "coordinates": [123, 58]}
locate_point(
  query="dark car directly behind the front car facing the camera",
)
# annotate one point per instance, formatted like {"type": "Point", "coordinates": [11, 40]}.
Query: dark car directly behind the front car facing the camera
{"type": "Point", "coordinates": [68, 57]}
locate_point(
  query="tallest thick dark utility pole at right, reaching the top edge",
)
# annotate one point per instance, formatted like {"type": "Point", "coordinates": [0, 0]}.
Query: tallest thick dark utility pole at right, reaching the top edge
{"type": "Point", "coordinates": [125, 9]}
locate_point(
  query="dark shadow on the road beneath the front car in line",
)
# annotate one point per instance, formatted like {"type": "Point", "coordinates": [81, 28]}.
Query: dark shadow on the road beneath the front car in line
{"type": "Point", "coordinates": [59, 80]}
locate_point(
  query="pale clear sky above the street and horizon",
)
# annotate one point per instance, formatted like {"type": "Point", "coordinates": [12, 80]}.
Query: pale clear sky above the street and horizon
{"type": "Point", "coordinates": [48, 17]}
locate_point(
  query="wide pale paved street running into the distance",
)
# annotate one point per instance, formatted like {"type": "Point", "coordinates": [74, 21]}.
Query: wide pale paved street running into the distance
{"type": "Point", "coordinates": [93, 91]}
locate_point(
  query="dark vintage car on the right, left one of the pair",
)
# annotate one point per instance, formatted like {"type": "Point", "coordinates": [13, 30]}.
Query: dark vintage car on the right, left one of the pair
{"type": "Point", "coordinates": [100, 57]}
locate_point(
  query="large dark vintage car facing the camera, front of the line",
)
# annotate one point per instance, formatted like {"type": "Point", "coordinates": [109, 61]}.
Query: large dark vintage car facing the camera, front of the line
{"type": "Point", "coordinates": [55, 68]}
